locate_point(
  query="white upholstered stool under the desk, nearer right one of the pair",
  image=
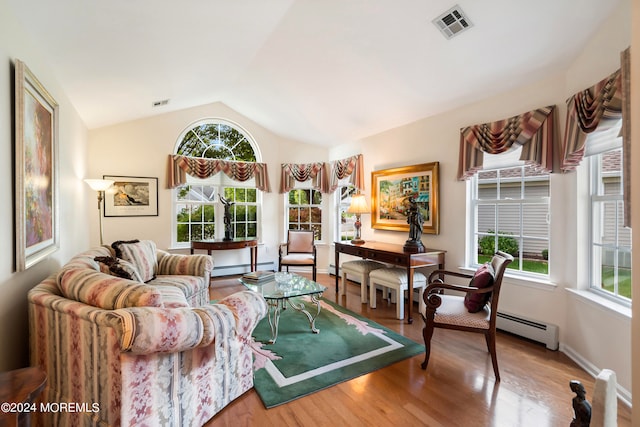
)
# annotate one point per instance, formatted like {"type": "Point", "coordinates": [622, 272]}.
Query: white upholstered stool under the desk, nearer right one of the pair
{"type": "Point", "coordinates": [396, 279]}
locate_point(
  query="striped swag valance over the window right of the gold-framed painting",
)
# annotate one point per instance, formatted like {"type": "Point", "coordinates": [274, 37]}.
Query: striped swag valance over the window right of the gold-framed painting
{"type": "Point", "coordinates": [533, 130]}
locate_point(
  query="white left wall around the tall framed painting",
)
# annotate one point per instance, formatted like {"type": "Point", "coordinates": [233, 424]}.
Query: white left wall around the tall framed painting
{"type": "Point", "coordinates": [14, 333]}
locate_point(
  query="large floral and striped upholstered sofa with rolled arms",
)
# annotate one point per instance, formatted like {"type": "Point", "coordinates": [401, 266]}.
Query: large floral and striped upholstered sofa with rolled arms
{"type": "Point", "coordinates": [129, 351]}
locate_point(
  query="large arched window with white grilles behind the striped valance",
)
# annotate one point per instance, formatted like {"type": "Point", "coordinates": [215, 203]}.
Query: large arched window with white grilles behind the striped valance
{"type": "Point", "coordinates": [199, 214]}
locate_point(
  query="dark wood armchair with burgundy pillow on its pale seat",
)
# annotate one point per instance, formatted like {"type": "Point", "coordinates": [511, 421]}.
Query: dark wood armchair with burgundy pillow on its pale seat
{"type": "Point", "coordinates": [475, 311]}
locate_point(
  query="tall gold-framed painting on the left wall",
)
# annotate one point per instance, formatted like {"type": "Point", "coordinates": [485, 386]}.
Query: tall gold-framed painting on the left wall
{"type": "Point", "coordinates": [36, 170]}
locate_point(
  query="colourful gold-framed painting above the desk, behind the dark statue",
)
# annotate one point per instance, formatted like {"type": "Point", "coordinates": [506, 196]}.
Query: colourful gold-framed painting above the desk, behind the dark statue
{"type": "Point", "coordinates": [391, 189]}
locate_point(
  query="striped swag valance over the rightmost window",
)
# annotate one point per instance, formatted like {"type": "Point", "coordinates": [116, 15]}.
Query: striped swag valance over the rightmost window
{"type": "Point", "coordinates": [587, 110]}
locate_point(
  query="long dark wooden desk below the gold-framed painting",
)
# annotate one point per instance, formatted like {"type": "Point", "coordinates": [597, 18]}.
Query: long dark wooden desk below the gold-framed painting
{"type": "Point", "coordinates": [392, 254]}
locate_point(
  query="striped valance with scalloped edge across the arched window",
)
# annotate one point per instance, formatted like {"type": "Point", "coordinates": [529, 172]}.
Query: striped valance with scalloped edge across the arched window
{"type": "Point", "coordinates": [181, 166]}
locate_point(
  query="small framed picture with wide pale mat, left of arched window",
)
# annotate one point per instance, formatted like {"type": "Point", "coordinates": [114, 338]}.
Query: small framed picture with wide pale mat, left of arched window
{"type": "Point", "coordinates": [131, 196]}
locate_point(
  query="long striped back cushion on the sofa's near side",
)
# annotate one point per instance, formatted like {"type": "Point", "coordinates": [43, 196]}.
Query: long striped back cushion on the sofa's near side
{"type": "Point", "coordinates": [105, 291]}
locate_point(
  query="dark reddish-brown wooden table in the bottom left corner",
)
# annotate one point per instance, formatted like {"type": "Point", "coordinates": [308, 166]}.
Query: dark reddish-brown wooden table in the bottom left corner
{"type": "Point", "coordinates": [18, 392]}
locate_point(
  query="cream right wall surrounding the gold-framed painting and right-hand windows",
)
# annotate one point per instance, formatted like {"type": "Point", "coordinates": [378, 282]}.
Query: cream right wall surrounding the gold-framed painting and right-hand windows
{"type": "Point", "coordinates": [595, 337]}
